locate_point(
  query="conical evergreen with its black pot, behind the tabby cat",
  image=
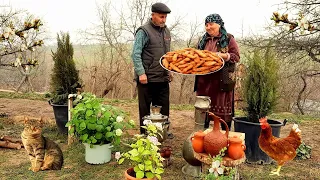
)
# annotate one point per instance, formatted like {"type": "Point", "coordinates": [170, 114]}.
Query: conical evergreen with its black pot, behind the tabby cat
{"type": "Point", "coordinates": [64, 80]}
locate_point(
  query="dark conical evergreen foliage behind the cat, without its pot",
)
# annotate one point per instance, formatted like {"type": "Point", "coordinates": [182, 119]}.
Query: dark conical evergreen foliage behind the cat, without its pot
{"type": "Point", "coordinates": [65, 77]}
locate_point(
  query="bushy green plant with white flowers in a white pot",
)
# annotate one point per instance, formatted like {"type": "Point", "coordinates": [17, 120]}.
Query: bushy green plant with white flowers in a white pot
{"type": "Point", "coordinates": [98, 127]}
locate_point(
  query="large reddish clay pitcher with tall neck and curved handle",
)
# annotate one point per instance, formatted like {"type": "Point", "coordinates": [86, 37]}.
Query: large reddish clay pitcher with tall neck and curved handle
{"type": "Point", "coordinates": [214, 141]}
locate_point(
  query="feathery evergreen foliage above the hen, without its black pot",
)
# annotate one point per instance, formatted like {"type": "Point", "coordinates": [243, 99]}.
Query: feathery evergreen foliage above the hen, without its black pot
{"type": "Point", "coordinates": [261, 84]}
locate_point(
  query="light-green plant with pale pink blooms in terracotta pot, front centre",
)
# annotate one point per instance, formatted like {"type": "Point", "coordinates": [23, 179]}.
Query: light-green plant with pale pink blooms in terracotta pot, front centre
{"type": "Point", "coordinates": [144, 156]}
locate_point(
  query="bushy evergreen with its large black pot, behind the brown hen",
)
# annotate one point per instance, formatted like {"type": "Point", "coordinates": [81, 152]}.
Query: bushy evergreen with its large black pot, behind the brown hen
{"type": "Point", "coordinates": [260, 95]}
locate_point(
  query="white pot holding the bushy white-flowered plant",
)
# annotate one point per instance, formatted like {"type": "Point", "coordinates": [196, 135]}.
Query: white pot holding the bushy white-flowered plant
{"type": "Point", "coordinates": [98, 154]}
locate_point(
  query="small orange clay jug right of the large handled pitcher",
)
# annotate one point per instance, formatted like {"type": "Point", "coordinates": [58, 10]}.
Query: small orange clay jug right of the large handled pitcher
{"type": "Point", "coordinates": [236, 148]}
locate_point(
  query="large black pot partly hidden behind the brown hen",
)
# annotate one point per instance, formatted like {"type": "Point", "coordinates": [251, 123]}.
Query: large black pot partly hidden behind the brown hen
{"type": "Point", "coordinates": [252, 130]}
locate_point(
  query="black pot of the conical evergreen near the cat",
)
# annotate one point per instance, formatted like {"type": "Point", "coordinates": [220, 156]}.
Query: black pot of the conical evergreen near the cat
{"type": "Point", "coordinates": [61, 116]}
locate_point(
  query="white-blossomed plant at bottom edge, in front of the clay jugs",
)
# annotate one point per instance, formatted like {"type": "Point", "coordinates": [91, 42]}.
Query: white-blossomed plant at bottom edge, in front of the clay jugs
{"type": "Point", "coordinates": [217, 171]}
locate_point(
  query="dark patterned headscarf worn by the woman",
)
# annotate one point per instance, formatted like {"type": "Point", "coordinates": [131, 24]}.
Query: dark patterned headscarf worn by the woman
{"type": "Point", "coordinates": [223, 41]}
